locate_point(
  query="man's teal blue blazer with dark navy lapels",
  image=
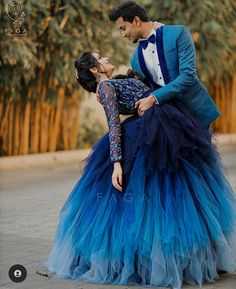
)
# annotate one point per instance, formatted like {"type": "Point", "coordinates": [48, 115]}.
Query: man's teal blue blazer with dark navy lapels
{"type": "Point", "coordinates": [177, 58]}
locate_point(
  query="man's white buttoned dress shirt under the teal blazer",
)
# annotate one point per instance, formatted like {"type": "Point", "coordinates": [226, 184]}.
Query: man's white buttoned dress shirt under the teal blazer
{"type": "Point", "coordinates": [152, 61]}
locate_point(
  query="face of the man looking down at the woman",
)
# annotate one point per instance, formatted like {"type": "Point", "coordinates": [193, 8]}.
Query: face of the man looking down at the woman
{"type": "Point", "coordinates": [129, 30]}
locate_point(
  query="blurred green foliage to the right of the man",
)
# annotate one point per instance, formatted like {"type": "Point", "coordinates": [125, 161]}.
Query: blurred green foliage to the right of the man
{"type": "Point", "coordinates": [213, 26]}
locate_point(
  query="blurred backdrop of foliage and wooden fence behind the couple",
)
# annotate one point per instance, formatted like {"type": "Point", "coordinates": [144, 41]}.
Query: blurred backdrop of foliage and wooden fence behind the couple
{"type": "Point", "coordinates": [42, 108]}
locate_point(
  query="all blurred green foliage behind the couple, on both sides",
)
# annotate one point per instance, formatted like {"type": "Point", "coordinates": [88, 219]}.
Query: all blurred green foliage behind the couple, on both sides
{"type": "Point", "coordinates": [57, 31]}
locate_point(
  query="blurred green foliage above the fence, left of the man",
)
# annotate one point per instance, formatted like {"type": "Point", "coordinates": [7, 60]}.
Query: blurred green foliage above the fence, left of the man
{"type": "Point", "coordinates": [57, 31]}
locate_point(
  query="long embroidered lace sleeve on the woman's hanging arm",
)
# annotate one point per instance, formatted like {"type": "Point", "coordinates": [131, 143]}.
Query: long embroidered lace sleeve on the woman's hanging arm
{"type": "Point", "coordinates": [108, 98]}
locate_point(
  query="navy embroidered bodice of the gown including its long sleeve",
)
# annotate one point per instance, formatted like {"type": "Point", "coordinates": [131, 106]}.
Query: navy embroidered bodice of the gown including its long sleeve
{"type": "Point", "coordinates": [118, 96]}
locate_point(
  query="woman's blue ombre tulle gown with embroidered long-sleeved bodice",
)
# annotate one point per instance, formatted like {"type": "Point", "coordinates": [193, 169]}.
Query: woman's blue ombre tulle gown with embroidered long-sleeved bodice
{"type": "Point", "coordinates": [174, 222]}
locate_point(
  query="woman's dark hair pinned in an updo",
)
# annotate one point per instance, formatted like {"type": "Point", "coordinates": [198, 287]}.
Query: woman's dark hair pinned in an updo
{"type": "Point", "coordinates": [84, 76]}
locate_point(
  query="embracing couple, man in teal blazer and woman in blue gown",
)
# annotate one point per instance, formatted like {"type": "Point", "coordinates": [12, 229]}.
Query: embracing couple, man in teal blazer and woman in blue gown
{"type": "Point", "coordinates": [152, 206]}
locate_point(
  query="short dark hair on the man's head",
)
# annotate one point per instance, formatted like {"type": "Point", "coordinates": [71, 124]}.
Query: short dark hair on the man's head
{"type": "Point", "coordinates": [128, 10]}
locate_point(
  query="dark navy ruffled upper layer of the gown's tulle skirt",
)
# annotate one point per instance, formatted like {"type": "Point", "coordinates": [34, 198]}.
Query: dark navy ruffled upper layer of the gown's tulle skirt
{"type": "Point", "coordinates": [168, 136]}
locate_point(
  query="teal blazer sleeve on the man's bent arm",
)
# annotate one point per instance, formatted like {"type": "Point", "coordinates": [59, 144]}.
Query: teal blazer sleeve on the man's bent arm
{"type": "Point", "coordinates": [187, 68]}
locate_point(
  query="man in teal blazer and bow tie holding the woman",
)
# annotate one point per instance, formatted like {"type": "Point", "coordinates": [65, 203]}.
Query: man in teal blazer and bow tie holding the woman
{"type": "Point", "coordinates": [165, 57]}
